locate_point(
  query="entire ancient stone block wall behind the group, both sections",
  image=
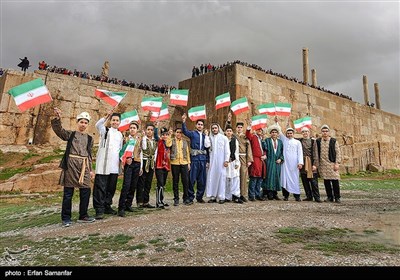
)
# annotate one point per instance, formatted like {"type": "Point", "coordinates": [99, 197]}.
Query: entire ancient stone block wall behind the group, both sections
{"type": "Point", "coordinates": [366, 134]}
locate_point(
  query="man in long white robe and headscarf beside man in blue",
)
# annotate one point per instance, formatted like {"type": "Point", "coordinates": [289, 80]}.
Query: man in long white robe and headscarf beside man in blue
{"type": "Point", "coordinates": [219, 159]}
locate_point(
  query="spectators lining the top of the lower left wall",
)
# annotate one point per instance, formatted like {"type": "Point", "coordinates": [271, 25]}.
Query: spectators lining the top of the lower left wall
{"type": "Point", "coordinates": [164, 88]}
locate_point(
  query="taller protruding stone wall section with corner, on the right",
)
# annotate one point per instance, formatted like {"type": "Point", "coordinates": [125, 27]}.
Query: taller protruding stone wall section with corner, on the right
{"type": "Point", "coordinates": [366, 134]}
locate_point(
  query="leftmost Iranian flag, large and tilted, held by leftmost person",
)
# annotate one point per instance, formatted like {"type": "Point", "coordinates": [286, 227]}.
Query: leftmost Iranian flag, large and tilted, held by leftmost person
{"type": "Point", "coordinates": [30, 94]}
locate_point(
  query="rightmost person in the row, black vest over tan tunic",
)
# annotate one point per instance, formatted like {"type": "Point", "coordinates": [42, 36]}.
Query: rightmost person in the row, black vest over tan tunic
{"type": "Point", "coordinates": [329, 161]}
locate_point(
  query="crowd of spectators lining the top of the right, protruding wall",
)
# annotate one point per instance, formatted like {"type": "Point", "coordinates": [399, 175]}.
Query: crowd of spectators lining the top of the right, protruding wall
{"type": "Point", "coordinates": [205, 68]}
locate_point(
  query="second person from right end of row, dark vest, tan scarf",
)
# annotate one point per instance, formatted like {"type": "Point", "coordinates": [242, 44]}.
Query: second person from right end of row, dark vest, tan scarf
{"type": "Point", "coordinates": [308, 174]}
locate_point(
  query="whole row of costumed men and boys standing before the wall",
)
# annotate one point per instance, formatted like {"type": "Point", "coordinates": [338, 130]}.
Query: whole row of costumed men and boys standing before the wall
{"type": "Point", "coordinates": [223, 165]}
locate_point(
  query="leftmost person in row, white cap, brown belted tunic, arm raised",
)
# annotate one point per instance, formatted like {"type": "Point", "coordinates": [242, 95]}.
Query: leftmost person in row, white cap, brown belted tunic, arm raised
{"type": "Point", "coordinates": [76, 166]}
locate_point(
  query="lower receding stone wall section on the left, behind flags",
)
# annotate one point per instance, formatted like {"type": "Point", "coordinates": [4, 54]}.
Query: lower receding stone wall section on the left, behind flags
{"type": "Point", "coordinates": [72, 95]}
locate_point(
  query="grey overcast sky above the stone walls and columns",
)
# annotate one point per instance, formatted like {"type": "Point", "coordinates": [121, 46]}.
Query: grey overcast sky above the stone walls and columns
{"type": "Point", "coordinates": [160, 41]}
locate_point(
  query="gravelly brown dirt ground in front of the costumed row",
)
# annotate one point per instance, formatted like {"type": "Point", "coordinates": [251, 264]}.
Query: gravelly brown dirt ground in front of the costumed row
{"type": "Point", "coordinates": [246, 234]}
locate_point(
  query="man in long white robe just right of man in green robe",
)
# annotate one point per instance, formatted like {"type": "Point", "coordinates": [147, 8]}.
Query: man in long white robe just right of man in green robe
{"type": "Point", "coordinates": [293, 155]}
